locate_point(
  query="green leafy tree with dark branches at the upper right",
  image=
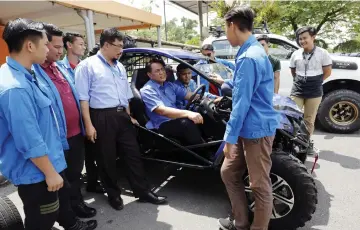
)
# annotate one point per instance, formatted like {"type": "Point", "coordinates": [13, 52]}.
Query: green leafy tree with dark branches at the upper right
{"type": "Point", "coordinates": [285, 17]}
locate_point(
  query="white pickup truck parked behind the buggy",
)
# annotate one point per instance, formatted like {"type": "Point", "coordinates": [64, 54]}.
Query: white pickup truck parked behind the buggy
{"type": "Point", "coordinates": [340, 107]}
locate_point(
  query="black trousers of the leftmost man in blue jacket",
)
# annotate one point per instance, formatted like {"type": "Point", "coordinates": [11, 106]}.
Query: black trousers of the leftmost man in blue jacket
{"type": "Point", "coordinates": [43, 208]}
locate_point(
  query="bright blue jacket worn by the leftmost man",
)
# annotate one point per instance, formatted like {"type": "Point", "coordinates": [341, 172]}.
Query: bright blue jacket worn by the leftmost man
{"type": "Point", "coordinates": [28, 126]}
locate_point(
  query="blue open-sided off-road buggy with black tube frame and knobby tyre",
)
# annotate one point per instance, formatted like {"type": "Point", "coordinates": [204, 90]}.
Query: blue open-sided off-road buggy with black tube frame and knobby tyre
{"type": "Point", "coordinates": [294, 190]}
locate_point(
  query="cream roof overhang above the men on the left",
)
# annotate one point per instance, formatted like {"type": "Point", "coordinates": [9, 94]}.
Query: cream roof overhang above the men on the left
{"type": "Point", "coordinates": [107, 13]}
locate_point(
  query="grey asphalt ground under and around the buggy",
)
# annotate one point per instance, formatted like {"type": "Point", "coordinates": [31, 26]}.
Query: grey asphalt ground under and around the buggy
{"type": "Point", "coordinates": [197, 198]}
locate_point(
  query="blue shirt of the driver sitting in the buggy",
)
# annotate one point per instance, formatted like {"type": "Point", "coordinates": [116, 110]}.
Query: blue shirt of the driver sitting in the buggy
{"type": "Point", "coordinates": [154, 95]}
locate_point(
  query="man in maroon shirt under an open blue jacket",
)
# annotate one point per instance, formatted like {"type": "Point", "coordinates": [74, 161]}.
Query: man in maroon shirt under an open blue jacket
{"type": "Point", "coordinates": [56, 78]}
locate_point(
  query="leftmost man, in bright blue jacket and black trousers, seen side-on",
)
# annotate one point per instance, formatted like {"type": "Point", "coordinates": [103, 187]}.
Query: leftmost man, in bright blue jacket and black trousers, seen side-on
{"type": "Point", "coordinates": [32, 155]}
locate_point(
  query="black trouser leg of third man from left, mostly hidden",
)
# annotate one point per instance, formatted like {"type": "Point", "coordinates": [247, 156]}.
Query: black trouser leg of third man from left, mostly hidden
{"type": "Point", "coordinates": [90, 165]}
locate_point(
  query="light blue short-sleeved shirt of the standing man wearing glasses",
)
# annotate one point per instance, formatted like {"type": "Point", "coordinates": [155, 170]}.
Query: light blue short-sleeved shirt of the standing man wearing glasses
{"type": "Point", "coordinates": [102, 85]}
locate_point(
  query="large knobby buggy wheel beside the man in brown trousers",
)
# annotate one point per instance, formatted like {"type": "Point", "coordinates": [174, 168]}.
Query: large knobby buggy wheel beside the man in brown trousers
{"type": "Point", "coordinates": [294, 192]}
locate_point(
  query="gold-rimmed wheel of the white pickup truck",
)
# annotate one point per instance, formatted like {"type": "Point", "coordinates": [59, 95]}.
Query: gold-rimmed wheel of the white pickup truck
{"type": "Point", "coordinates": [339, 111]}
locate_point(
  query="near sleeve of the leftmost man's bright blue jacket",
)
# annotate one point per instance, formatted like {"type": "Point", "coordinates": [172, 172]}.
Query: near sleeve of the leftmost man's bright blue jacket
{"type": "Point", "coordinates": [19, 112]}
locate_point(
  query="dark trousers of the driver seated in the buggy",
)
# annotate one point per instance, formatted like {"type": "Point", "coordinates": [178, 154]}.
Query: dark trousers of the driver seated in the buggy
{"type": "Point", "coordinates": [182, 129]}
